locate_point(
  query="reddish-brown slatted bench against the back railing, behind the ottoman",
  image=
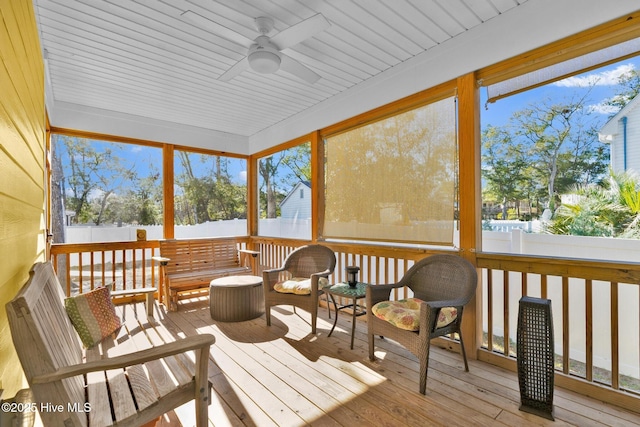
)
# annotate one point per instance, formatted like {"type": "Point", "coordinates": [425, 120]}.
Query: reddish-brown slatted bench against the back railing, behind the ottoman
{"type": "Point", "coordinates": [188, 265]}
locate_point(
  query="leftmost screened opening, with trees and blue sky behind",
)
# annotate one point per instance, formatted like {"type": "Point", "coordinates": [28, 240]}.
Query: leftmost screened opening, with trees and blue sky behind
{"type": "Point", "coordinates": [104, 190]}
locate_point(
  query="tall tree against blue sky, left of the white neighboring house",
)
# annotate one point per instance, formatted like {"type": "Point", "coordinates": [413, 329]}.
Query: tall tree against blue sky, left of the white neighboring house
{"type": "Point", "coordinates": [556, 140]}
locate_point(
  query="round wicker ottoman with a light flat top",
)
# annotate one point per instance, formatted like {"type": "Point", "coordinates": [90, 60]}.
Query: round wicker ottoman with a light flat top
{"type": "Point", "coordinates": [236, 298]}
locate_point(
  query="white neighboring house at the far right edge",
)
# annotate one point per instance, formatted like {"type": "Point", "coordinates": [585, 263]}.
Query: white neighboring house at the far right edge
{"type": "Point", "coordinates": [622, 131]}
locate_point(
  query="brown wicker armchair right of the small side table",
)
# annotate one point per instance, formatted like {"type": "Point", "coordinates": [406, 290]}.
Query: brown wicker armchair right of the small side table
{"type": "Point", "coordinates": [439, 281]}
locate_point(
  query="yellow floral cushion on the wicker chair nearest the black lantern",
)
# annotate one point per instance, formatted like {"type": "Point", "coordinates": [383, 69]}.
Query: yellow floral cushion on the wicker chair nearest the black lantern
{"type": "Point", "coordinates": [405, 313]}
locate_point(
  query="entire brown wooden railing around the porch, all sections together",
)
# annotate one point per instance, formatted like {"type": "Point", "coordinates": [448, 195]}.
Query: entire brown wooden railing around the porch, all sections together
{"type": "Point", "coordinates": [596, 305]}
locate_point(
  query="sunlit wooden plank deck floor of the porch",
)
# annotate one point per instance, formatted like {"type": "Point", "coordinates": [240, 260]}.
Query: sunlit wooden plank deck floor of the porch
{"type": "Point", "coordinates": [284, 376]}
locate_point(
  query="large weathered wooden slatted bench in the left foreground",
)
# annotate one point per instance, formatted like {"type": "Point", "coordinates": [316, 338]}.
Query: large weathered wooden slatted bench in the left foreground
{"type": "Point", "coordinates": [123, 381]}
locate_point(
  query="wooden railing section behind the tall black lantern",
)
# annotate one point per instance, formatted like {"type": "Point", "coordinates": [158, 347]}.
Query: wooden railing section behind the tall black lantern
{"type": "Point", "coordinates": [595, 309]}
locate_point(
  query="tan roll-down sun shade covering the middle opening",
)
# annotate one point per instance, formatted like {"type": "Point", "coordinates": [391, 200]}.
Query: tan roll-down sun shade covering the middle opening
{"type": "Point", "coordinates": [394, 179]}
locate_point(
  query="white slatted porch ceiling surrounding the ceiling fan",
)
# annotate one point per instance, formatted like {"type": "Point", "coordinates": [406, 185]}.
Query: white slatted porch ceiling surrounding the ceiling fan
{"type": "Point", "coordinates": [147, 69]}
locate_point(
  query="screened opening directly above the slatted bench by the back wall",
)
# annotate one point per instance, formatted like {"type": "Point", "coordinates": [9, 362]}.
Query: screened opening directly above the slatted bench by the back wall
{"type": "Point", "coordinates": [210, 195]}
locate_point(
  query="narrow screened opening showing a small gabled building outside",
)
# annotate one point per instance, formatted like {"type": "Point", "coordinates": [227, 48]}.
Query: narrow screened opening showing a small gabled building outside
{"type": "Point", "coordinates": [282, 176]}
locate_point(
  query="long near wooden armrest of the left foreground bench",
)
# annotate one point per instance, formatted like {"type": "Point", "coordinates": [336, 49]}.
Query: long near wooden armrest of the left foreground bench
{"type": "Point", "coordinates": [203, 341]}
